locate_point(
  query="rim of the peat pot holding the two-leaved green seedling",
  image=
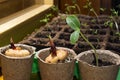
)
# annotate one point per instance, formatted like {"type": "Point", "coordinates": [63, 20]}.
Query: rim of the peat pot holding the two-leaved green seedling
{"type": "Point", "coordinates": [108, 52]}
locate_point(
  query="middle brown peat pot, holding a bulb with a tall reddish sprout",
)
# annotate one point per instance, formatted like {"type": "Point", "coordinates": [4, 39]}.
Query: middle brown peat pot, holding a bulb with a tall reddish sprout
{"type": "Point", "coordinates": [58, 71]}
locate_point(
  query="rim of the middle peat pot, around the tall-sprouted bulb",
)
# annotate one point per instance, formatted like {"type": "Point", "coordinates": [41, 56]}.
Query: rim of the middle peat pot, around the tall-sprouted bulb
{"type": "Point", "coordinates": [72, 51]}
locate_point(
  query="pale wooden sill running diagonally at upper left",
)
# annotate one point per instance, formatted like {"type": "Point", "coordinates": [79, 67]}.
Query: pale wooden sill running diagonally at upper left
{"type": "Point", "coordinates": [11, 21]}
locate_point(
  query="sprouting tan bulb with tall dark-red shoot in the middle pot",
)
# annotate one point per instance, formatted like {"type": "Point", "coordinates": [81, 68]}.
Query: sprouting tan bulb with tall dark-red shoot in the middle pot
{"type": "Point", "coordinates": [56, 55]}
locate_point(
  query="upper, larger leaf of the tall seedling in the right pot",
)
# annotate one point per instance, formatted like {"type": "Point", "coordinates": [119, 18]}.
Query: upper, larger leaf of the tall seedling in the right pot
{"type": "Point", "coordinates": [73, 22]}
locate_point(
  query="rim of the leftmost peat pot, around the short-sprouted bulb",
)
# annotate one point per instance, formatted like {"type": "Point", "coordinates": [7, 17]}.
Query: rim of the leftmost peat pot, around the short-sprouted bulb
{"type": "Point", "coordinates": [31, 49]}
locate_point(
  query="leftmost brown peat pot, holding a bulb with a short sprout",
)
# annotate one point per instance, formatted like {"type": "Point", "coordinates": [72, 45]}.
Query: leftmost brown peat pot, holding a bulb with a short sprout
{"type": "Point", "coordinates": [17, 68]}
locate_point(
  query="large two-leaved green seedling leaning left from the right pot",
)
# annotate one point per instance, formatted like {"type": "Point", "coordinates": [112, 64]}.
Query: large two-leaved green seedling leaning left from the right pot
{"type": "Point", "coordinates": [75, 24]}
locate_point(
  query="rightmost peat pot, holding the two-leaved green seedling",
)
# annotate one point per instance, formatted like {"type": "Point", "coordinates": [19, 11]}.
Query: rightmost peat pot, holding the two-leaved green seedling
{"type": "Point", "coordinates": [91, 72]}
